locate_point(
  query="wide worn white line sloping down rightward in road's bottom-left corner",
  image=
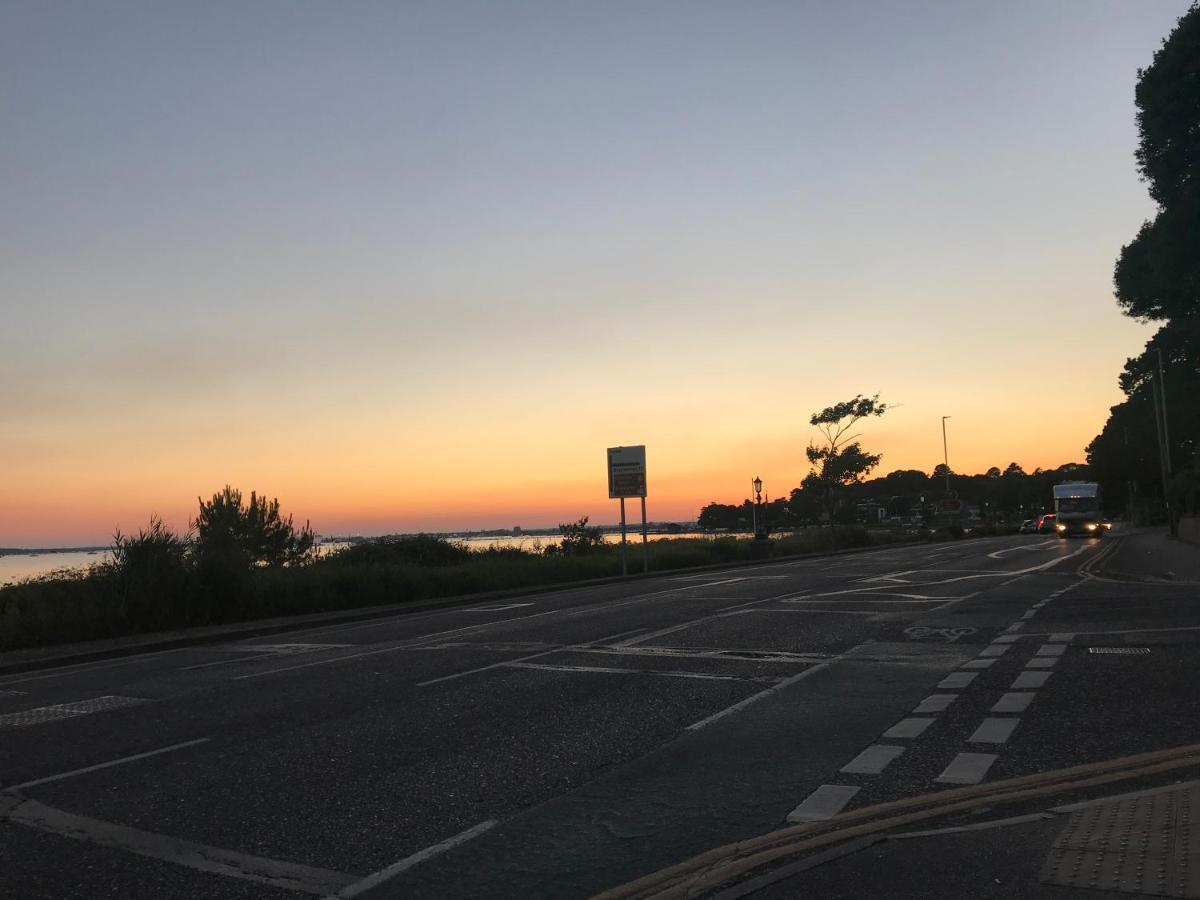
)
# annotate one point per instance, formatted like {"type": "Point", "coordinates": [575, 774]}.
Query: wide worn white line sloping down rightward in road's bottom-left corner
{"type": "Point", "coordinates": [287, 877]}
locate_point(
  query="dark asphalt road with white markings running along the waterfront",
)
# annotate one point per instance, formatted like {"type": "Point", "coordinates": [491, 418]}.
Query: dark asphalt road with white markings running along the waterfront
{"type": "Point", "coordinates": [561, 745]}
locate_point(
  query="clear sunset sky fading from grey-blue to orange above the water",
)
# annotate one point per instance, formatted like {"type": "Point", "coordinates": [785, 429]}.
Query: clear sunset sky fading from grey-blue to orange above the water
{"type": "Point", "coordinates": [415, 266]}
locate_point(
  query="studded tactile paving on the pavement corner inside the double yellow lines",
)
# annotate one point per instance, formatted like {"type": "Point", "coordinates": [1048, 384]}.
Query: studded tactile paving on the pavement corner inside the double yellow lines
{"type": "Point", "coordinates": [1141, 845]}
